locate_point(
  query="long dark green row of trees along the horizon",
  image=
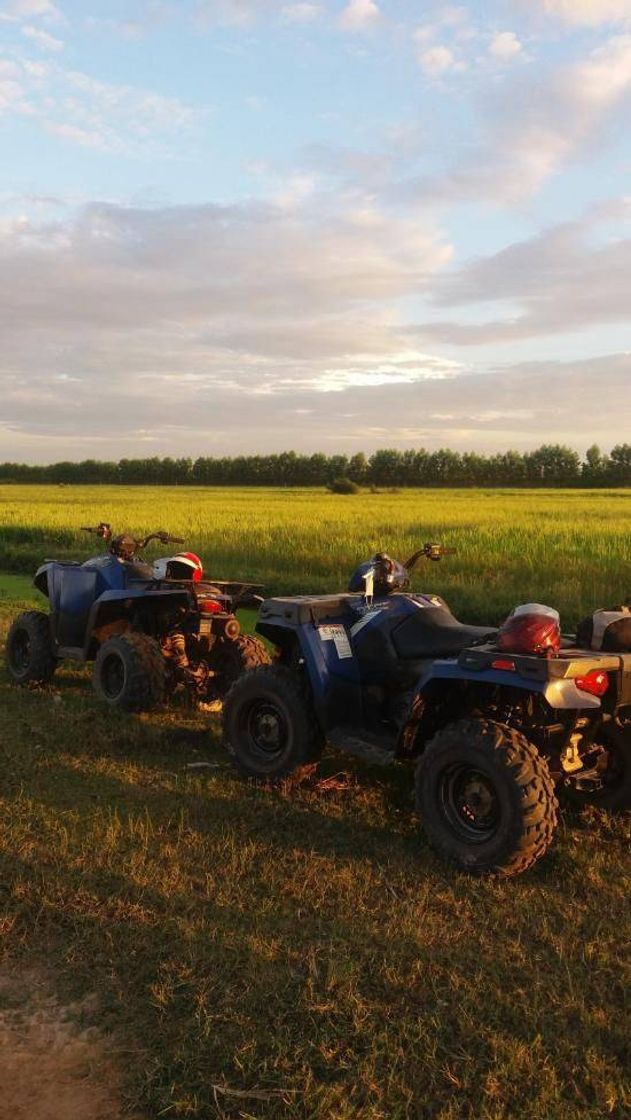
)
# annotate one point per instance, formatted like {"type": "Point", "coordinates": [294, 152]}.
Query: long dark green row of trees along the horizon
{"type": "Point", "coordinates": [551, 465]}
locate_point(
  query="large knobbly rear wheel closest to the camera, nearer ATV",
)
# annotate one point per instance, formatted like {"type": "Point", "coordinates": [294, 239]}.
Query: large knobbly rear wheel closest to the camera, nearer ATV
{"type": "Point", "coordinates": [486, 798]}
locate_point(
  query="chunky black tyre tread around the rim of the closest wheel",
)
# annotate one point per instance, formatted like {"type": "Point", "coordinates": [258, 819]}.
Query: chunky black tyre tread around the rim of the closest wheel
{"type": "Point", "coordinates": [531, 773]}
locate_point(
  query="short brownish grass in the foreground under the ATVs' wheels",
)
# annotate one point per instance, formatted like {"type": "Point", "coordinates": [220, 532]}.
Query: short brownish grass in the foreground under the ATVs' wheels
{"type": "Point", "coordinates": [300, 955]}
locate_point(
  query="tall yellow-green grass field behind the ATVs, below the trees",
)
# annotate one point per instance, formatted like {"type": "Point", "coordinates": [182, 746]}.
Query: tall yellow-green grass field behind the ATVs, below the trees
{"type": "Point", "coordinates": [568, 548]}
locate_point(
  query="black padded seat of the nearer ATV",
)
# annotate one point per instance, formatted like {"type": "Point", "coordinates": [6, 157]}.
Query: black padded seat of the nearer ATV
{"type": "Point", "coordinates": [434, 632]}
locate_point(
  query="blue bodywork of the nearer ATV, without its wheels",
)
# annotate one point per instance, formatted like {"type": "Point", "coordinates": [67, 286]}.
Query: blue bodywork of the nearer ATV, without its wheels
{"type": "Point", "coordinates": [373, 667]}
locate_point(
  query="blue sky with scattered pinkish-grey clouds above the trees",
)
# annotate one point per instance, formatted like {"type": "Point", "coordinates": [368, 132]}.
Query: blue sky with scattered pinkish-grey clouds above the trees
{"type": "Point", "coordinates": [242, 227]}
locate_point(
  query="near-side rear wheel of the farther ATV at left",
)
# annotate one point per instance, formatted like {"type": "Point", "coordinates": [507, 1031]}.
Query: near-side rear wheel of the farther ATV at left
{"type": "Point", "coordinates": [131, 673]}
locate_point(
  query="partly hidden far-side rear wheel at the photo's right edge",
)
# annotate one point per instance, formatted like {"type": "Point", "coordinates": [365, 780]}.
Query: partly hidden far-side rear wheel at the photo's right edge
{"type": "Point", "coordinates": [606, 781]}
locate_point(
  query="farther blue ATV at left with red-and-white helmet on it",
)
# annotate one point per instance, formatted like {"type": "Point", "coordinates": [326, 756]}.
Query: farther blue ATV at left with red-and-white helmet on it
{"type": "Point", "coordinates": [152, 631]}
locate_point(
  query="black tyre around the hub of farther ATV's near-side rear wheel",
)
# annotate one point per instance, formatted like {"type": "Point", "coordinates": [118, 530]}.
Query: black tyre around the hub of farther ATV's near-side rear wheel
{"type": "Point", "coordinates": [147, 673]}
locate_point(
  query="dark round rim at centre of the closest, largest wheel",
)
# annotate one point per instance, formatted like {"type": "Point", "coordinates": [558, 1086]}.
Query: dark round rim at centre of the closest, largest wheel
{"type": "Point", "coordinates": [470, 802]}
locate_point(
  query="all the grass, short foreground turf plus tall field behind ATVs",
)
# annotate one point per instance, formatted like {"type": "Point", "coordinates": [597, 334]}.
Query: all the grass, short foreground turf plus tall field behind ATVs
{"type": "Point", "coordinates": [299, 954]}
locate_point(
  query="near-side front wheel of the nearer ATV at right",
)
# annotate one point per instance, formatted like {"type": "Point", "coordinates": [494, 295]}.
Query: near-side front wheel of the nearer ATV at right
{"type": "Point", "coordinates": [270, 726]}
